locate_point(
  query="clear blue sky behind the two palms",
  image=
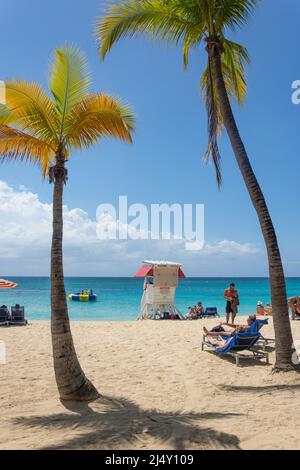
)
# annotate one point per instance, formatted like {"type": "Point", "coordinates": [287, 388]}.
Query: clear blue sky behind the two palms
{"type": "Point", "coordinates": [165, 164]}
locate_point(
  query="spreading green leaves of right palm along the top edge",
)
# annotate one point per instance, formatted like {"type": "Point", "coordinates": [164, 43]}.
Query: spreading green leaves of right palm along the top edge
{"type": "Point", "coordinates": [172, 21]}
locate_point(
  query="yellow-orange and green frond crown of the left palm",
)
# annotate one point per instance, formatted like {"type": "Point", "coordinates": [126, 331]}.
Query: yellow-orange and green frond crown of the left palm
{"type": "Point", "coordinates": [37, 127]}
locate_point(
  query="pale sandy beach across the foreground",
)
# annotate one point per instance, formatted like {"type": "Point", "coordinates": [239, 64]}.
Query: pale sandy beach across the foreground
{"type": "Point", "coordinates": [159, 391]}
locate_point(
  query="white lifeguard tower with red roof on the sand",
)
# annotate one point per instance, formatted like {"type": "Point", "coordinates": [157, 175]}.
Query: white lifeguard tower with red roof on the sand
{"type": "Point", "coordinates": [161, 280]}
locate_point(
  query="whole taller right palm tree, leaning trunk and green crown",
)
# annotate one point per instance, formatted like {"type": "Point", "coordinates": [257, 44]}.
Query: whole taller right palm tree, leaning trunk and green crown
{"type": "Point", "coordinates": [187, 23]}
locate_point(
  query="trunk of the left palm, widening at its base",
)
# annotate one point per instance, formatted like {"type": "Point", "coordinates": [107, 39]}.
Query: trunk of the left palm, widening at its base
{"type": "Point", "coordinates": [71, 381]}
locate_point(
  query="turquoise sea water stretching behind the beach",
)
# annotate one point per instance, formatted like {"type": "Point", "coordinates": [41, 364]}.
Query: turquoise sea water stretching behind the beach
{"type": "Point", "coordinates": [119, 298]}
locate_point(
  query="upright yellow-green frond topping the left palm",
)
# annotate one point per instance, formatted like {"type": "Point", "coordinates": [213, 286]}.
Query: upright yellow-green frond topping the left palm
{"type": "Point", "coordinates": [69, 82]}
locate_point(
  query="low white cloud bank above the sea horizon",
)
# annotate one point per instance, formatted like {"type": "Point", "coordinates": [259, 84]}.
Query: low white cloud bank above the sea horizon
{"type": "Point", "coordinates": [25, 239]}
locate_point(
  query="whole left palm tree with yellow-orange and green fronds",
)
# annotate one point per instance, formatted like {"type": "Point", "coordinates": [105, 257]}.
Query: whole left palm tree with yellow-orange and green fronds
{"type": "Point", "coordinates": [43, 128]}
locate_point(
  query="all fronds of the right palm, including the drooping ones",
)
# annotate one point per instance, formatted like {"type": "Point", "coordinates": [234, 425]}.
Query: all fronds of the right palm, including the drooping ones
{"type": "Point", "coordinates": [186, 23]}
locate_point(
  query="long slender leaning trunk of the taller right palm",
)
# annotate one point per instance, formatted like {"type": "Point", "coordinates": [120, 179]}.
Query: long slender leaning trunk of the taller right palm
{"type": "Point", "coordinates": [281, 320]}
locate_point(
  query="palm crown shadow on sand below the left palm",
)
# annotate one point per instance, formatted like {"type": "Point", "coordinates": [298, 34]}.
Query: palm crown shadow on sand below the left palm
{"type": "Point", "coordinates": [121, 424]}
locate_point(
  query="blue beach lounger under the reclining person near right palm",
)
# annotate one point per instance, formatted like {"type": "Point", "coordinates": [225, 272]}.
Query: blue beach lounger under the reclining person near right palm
{"type": "Point", "coordinates": [239, 342]}
